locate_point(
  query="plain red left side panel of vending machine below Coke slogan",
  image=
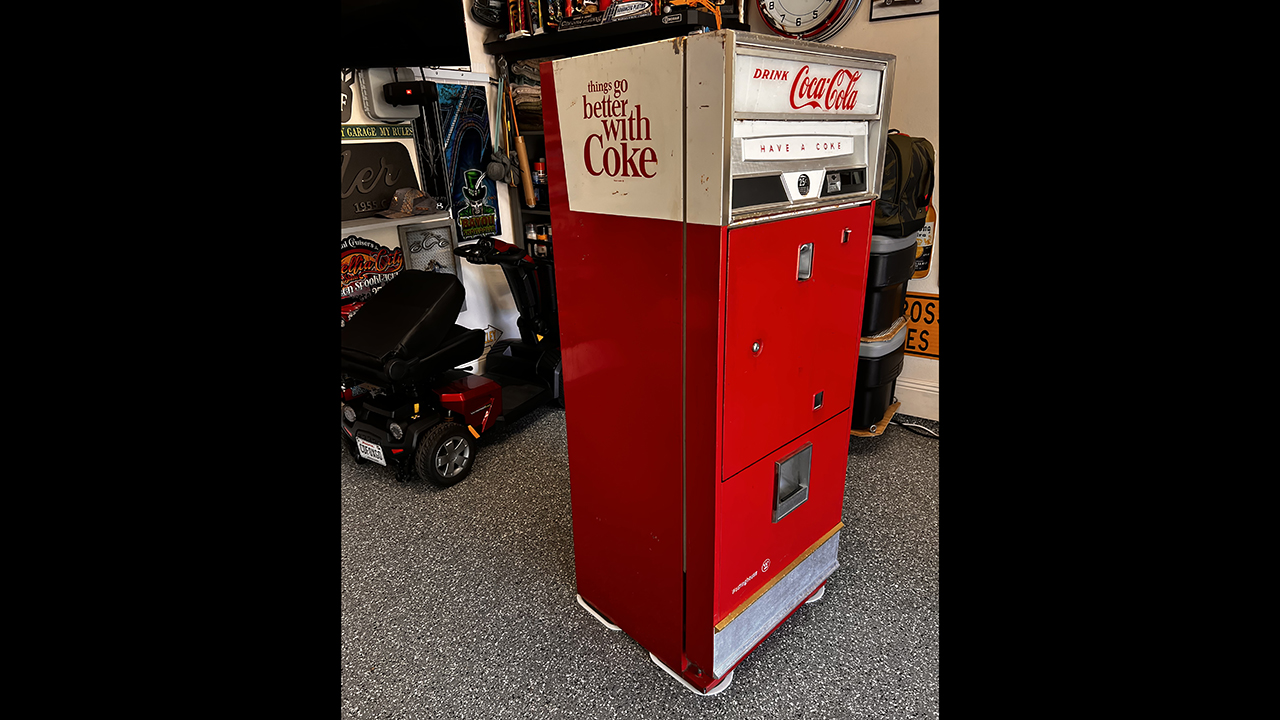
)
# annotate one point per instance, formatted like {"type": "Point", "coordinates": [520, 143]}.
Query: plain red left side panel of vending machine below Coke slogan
{"type": "Point", "coordinates": [619, 286]}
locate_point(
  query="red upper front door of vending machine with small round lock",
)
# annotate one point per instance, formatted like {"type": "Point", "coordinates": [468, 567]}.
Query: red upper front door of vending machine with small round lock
{"type": "Point", "coordinates": [808, 332]}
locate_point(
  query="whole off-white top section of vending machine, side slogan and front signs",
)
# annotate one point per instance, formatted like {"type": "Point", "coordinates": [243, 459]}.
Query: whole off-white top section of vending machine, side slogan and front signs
{"type": "Point", "coordinates": [723, 127]}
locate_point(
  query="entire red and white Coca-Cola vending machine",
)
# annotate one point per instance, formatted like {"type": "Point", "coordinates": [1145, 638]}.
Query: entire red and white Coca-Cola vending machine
{"type": "Point", "coordinates": [712, 209]}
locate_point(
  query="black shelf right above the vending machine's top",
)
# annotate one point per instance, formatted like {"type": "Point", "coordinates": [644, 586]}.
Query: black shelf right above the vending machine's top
{"type": "Point", "coordinates": [609, 37]}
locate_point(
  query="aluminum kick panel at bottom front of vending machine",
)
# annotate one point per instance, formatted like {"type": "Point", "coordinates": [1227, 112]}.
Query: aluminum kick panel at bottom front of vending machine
{"type": "Point", "coordinates": [749, 628]}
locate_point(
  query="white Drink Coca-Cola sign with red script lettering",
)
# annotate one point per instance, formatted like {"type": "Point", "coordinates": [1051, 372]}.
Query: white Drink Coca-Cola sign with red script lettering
{"type": "Point", "coordinates": [770, 85]}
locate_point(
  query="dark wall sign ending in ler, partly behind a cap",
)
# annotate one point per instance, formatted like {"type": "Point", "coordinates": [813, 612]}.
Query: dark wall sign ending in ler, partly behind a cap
{"type": "Point", "coordinates": [372, 174]}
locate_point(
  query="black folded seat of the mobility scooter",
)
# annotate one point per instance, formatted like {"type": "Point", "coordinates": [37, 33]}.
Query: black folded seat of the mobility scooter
{"type": "Point", "coordinates": [408, 329]}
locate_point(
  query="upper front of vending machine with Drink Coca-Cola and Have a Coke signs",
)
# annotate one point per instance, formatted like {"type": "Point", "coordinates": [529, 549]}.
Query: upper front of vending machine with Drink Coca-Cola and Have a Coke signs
{"type": "Point", "coordinates": [801, 127]}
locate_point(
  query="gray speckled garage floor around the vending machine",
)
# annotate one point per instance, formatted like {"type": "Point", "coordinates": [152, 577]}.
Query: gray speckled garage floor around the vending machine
{"type": "Point", "coordinates": [460, 603]}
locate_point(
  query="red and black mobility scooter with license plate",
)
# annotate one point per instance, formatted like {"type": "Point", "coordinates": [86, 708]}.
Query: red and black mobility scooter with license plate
{"type": "Point", "coordinates": [406, 405]}
